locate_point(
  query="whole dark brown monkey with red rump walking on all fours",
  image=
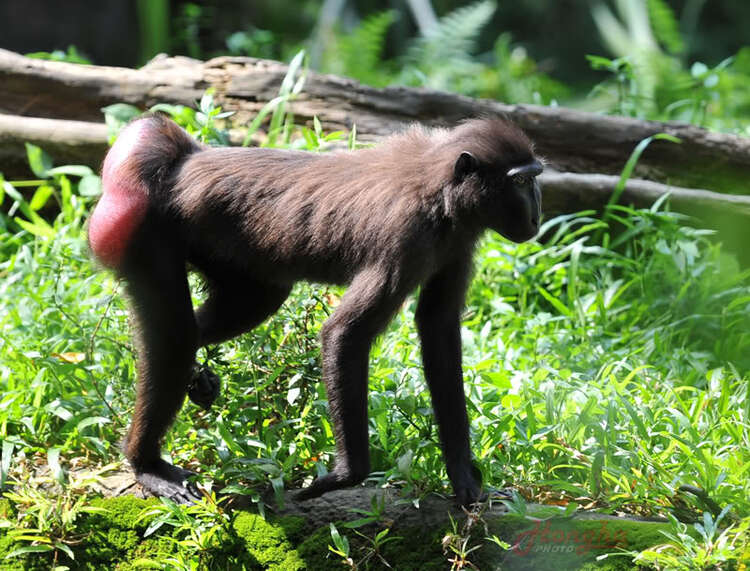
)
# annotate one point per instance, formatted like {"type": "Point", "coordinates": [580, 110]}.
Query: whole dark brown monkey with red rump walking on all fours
{"type": "Point", "coordinates": [254, 221]}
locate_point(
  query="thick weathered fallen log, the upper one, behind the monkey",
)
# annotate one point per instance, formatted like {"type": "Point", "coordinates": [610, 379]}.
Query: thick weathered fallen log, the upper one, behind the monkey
{"type": "Point", "coordinates": [570, 140]}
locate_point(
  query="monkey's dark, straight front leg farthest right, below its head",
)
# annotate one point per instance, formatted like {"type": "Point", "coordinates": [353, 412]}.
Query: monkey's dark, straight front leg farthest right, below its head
{"type": "Point", "coordinates": [438, 323]}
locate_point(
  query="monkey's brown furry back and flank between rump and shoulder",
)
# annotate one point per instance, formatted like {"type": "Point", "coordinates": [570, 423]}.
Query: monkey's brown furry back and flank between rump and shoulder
{"type": "Point", "coordinates": [303, 215]}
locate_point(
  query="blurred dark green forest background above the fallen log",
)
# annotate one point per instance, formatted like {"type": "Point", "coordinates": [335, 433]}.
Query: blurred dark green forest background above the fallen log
{"type": "Point", "coordinates": [555, 36]}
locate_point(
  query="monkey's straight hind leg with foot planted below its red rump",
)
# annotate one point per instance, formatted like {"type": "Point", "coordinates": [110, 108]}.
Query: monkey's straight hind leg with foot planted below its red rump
{"type": "Point", "coordinates": [167, 339]}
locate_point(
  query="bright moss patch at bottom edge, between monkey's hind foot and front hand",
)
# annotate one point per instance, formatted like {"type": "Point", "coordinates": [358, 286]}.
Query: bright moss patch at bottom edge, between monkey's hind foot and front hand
{"type": "Point", "coordinates": [268, 543]}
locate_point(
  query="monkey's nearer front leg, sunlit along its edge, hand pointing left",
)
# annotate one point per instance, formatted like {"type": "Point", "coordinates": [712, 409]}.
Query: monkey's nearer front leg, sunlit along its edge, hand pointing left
{"type": "Point", "coordinates": [346, 339]}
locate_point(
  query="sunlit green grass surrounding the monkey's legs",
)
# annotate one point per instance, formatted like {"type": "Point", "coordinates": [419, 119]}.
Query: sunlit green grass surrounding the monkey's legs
{"type": "Point", "coordinates": [606, 377]}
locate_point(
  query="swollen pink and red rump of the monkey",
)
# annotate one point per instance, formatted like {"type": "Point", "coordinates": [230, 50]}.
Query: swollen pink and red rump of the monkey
{"type": "Point", "coordinates": [136, 171]}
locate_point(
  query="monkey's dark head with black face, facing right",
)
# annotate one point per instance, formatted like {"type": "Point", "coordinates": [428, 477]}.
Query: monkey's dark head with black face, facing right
{"type": "Point", "coordinates": [498, 171]}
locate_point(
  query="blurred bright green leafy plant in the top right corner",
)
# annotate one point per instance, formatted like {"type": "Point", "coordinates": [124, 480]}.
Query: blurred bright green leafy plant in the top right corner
{"type": "Point", "coordinates": [652, 83]}
